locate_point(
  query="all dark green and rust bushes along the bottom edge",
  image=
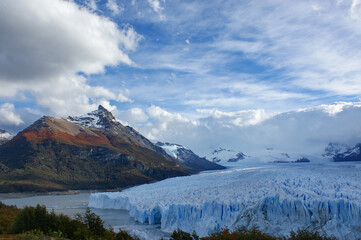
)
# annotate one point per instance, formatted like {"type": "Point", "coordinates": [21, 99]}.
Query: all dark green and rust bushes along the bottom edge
{"type": "Point", "coordinates": [36, 222]}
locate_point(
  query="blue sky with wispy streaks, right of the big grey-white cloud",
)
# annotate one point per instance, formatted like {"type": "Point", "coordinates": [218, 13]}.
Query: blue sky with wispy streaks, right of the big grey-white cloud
{"type": "Point", "coordinates": [238, 55]}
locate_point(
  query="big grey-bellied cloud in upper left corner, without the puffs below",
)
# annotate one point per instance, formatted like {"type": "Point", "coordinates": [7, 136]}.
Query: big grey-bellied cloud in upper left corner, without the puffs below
{"type": "Point", "coordinates": [58, 37]}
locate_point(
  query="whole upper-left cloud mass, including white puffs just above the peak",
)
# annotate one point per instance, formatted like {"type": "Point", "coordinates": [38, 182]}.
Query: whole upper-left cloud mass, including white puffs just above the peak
{"type": "Point", "coordinates": [45, 44]}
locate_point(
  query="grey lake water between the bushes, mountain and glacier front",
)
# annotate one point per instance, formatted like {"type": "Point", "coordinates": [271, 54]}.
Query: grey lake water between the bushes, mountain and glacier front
{"type": "Point", "coordinates": [77, 203]}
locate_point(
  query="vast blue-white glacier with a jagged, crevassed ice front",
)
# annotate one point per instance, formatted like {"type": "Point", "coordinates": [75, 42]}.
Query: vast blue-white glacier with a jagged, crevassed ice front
{"type": "Point", "coordinates": [277, 198]}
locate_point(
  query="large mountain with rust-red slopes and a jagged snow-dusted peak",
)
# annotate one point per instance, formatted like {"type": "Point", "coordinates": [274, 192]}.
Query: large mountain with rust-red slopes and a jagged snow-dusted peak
{"type": "Point", "coordinates": [93, 151]}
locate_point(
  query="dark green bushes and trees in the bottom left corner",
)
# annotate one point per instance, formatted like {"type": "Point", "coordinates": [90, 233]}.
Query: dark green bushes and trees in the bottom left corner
{"type": "Point", "coordinates": [34, 222]}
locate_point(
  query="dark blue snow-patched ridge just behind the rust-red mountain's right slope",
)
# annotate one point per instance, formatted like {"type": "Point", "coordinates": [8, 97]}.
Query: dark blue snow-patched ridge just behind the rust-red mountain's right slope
{"type": "Point", "coordinates": [188, 158]}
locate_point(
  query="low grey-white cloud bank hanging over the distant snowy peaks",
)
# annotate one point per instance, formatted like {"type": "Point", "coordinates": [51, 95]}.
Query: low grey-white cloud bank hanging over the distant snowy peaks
{"type": "Point", "coordinates": [304, 131]}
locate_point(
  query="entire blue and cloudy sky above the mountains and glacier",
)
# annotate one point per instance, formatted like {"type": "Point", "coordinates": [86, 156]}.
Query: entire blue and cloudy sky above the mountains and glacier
{"type": "Point", "coordinates": [172, 68]}
